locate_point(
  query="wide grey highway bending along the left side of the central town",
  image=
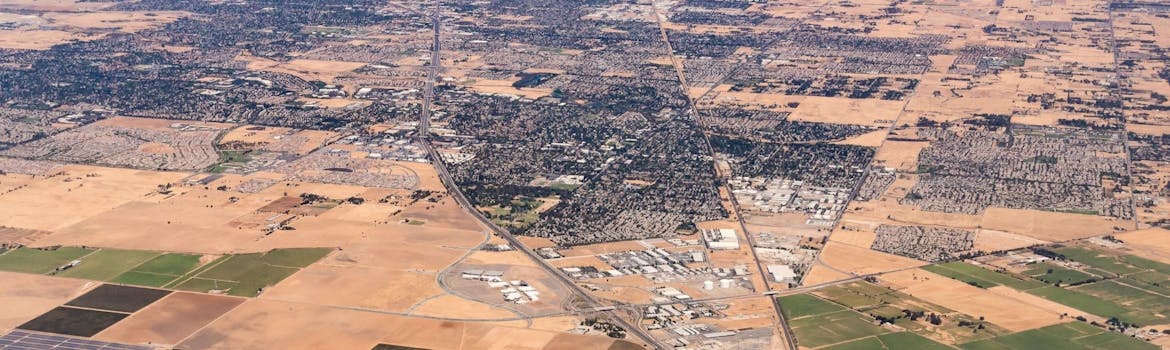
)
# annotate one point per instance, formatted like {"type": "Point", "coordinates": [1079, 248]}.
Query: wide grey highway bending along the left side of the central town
{"type": "Point", "coordinates": [423, 139]}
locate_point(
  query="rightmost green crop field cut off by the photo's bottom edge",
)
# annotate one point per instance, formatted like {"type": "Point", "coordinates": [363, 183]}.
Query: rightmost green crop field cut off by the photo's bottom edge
{"type": "Point", "coordinates": [1066, 337]}
